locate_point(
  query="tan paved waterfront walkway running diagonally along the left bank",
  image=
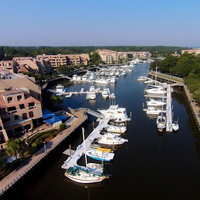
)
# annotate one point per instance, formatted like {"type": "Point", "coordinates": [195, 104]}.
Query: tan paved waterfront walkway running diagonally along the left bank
{"type": "Point", "coordinates": [78, 119]}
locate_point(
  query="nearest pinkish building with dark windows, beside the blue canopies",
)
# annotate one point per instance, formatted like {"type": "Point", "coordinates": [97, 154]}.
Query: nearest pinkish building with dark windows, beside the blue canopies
{"type": "Point", "coordinates": [19, 112]}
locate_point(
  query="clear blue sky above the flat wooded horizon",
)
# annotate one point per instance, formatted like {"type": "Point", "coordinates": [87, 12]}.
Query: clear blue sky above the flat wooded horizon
{"type": "Point", "coordinates": [99, 22]}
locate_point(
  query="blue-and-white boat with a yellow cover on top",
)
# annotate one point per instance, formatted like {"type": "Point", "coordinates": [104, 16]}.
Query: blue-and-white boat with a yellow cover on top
{"type": "Point", "coordinates": [98, 154]}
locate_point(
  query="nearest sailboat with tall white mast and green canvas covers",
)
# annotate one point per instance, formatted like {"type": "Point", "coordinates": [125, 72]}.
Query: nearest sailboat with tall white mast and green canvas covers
{"type": "Point", "coordinates": [91, 173]}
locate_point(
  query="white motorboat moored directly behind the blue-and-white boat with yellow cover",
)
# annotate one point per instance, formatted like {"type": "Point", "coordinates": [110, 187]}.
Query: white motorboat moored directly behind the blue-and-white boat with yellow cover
{"type": "Point", "coordinates": [111, 139]}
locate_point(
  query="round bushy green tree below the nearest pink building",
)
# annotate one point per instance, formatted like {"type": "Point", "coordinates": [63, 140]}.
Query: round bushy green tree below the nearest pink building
{"type": "Point", "coordinates": [16, 147]}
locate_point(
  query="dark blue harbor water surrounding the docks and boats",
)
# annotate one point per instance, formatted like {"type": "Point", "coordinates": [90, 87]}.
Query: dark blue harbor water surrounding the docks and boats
{"type": "Point", "coordinates": [151, 165]}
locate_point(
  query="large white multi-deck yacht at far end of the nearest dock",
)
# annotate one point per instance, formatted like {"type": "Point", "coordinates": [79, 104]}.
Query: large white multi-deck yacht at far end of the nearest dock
{"type": "Point", "coordinates": [114, 112]}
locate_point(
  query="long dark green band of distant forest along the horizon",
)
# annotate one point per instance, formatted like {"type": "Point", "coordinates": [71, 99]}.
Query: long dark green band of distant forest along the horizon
{"type": "Point", "coordinates": [8, 52]}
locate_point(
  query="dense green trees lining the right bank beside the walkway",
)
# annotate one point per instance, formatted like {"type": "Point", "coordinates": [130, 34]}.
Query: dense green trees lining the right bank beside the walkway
{"type": "Point", "coordinates": [187, 66]}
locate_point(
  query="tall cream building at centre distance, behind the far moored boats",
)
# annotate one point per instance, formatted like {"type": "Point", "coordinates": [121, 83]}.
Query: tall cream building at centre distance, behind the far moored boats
{"type": "Point", "coordinates": [108, 56]}
